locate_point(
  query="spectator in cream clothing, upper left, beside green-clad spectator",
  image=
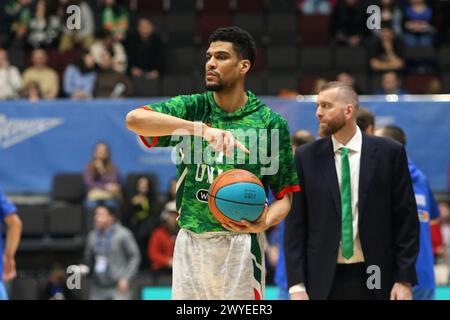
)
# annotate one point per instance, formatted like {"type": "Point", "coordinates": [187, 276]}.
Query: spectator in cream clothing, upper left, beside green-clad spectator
{"type": "Point", "coordinates": [83, 37]}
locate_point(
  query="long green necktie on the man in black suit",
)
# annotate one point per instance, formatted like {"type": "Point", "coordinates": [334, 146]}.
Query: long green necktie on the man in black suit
{"type": "Point", "coordinates": [346, 205]}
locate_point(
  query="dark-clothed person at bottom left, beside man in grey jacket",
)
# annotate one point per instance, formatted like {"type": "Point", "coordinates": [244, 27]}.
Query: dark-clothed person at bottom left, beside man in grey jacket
{"type": "Point", "coordinates": [56, 287]}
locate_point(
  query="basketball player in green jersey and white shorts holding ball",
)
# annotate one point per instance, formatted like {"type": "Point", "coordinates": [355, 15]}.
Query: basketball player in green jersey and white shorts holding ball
{"type": "Point", "coordinates": [214, 260]}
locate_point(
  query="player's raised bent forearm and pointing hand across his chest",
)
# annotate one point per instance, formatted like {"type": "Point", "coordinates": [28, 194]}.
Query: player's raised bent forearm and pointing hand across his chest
{"type": "Point", "coordinates": [156, 124]}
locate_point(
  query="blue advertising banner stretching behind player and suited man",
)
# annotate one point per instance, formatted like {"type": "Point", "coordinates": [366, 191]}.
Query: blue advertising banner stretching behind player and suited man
{"type": "Point", "coordinates": [40, 139]}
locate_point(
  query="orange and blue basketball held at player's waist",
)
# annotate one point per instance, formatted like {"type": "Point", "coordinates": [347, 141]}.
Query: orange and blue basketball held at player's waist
{"type": "Point", "coordinates": [235, 195]}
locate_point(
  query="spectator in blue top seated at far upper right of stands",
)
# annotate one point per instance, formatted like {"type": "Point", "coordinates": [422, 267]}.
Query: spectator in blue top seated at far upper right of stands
{"type": "Point", "coordinates": [417, 23]}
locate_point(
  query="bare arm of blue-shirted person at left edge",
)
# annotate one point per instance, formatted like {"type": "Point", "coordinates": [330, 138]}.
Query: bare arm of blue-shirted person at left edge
{"type": "Point", "coordinates": [13, 233]}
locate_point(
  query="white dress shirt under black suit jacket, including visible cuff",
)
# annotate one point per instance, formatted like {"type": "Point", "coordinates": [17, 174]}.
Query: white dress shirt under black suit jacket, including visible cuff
{"type": "Point", "coordinates": [354, 157]}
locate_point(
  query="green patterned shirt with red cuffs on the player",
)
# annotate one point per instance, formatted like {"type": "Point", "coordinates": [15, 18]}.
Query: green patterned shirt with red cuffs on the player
{"type": "Point", "coordinates": [262, 131]}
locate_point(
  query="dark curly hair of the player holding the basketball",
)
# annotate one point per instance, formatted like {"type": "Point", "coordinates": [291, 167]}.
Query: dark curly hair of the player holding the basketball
{"type": "Point", "coordinates": [242, 41]}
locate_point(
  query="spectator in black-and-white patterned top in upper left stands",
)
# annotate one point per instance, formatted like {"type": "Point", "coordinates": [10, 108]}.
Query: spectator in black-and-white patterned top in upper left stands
{"type": "Point", "coordinates": [44, 28]}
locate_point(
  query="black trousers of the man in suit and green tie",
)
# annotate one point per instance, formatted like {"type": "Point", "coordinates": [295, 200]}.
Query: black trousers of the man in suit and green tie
{"type": "Point", "coordinates": [350, 283]}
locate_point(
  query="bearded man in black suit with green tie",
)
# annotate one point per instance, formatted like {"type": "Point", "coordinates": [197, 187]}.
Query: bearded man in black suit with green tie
{"type": "Point", "coordinates": [353, 231]}
